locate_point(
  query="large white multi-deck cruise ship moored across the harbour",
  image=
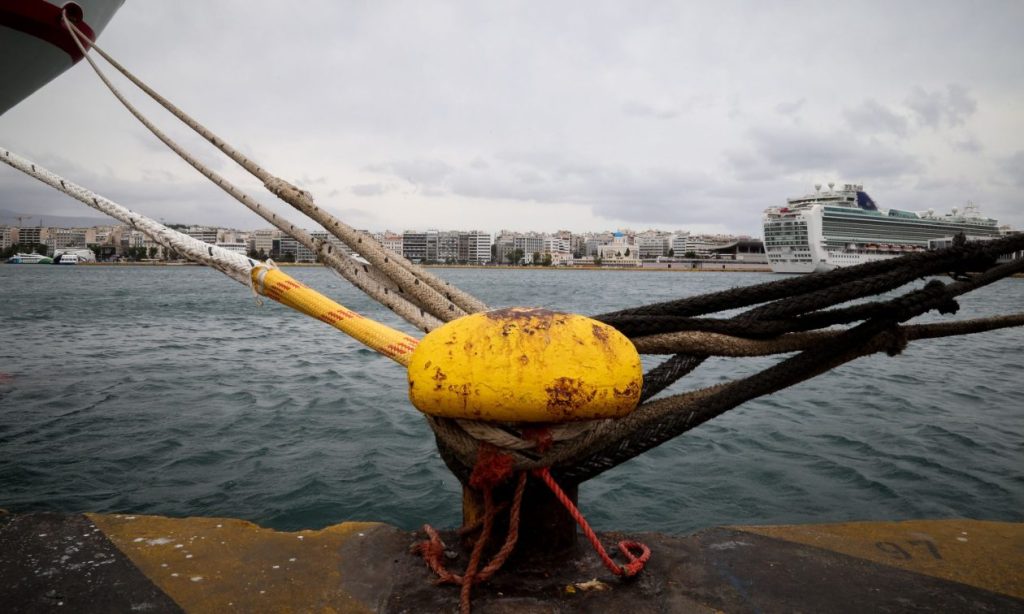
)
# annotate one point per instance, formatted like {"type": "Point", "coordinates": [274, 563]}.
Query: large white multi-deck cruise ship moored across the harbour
{"type": "Point", "coordinates": [843, 228]}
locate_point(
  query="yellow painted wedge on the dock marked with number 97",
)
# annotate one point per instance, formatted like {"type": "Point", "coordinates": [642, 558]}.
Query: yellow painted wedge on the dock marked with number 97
{"type": "Point", "coordinates": [984, 554]}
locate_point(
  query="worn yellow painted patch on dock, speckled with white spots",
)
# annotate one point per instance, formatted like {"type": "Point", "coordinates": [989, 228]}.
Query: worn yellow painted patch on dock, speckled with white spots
{"type": "Point", "coordinates": [222, 565]}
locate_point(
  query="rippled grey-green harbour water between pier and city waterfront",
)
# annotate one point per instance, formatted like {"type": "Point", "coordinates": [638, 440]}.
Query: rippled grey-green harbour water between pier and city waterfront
{"type": "Point", "coordinates": [167, 390]}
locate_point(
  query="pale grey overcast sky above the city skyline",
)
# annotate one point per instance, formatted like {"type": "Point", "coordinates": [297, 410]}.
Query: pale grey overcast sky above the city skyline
{"type": "Point", "coordinates": [543, 116]}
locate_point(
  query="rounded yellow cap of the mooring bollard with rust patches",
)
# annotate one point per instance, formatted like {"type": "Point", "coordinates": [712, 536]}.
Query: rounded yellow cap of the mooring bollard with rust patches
{"type": "Point", "coordinates": [527, 366]}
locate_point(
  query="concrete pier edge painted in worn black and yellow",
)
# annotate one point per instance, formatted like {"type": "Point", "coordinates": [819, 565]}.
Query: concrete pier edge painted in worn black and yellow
{"type": "Point", "coordinates": [121, 563]}
